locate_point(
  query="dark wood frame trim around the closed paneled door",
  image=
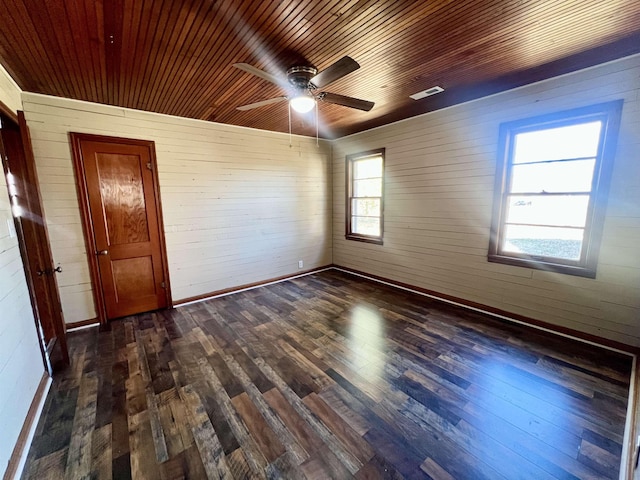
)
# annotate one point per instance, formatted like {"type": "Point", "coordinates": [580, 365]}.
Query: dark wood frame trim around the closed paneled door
{"type": "Point", "coordinates": [87, 222]}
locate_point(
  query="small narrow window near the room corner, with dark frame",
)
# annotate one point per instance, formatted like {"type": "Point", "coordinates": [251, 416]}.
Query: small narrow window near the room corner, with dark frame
{"type": "Point", "coordinates": [365, 175]}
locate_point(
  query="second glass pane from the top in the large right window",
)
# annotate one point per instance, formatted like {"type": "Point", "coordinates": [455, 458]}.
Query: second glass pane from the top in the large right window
{"type": "Point", "coordinates": [575, 176]}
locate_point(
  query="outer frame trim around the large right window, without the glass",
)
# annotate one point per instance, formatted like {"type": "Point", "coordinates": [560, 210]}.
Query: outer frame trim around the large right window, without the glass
{"type": "Point", "coordinates": [609, 113]}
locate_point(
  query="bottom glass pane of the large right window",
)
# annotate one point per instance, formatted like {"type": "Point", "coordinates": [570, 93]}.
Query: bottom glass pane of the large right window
{"type": "Point", "coordinates": [563, 243]}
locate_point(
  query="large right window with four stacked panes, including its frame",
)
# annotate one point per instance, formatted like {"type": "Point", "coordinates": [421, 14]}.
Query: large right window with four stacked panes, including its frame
{"type": "Point", "coordinates": [551, 189]}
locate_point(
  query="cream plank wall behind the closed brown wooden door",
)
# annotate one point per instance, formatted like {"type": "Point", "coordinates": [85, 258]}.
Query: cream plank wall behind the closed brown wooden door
{"type": "Point", "coordinates": [239, 205]}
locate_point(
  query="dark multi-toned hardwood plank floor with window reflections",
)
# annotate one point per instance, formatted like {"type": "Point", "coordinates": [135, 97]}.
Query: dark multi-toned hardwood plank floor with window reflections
{"type": "Point", "coordinates": [330, 376]}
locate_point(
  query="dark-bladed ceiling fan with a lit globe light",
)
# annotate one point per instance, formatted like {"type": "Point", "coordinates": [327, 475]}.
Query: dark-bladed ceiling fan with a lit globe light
{"type": "Point", "coordinates": [302, 82]}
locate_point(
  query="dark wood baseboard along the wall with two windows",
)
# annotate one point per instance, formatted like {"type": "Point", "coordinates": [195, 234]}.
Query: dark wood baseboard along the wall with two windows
{"type": "Point", "coordinates": [502, 314]}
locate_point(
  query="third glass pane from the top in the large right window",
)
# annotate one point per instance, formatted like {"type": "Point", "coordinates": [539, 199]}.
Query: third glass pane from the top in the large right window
{"type": "Point", "coordinates": [560, 210]}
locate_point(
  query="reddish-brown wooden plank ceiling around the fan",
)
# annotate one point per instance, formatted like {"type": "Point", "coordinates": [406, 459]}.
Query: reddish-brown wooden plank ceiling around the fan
{"type": "Point", "coordinates": [175, 56]}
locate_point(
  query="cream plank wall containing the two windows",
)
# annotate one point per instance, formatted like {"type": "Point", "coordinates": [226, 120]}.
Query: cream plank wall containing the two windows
{"type": "Point", "coordinates": [440, 171]}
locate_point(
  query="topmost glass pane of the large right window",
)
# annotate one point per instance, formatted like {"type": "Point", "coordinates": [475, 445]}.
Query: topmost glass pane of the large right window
{"type": "Point", "coordinates": [573, 141]}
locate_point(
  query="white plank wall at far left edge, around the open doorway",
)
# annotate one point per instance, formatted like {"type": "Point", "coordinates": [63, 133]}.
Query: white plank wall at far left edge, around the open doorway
{"type": "Point", "coordinates": [21, 365]}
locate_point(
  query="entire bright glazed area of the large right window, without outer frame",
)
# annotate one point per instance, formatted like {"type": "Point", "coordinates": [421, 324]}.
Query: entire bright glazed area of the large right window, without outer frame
{"type": "Point", "coordinates": [550, 185]}
